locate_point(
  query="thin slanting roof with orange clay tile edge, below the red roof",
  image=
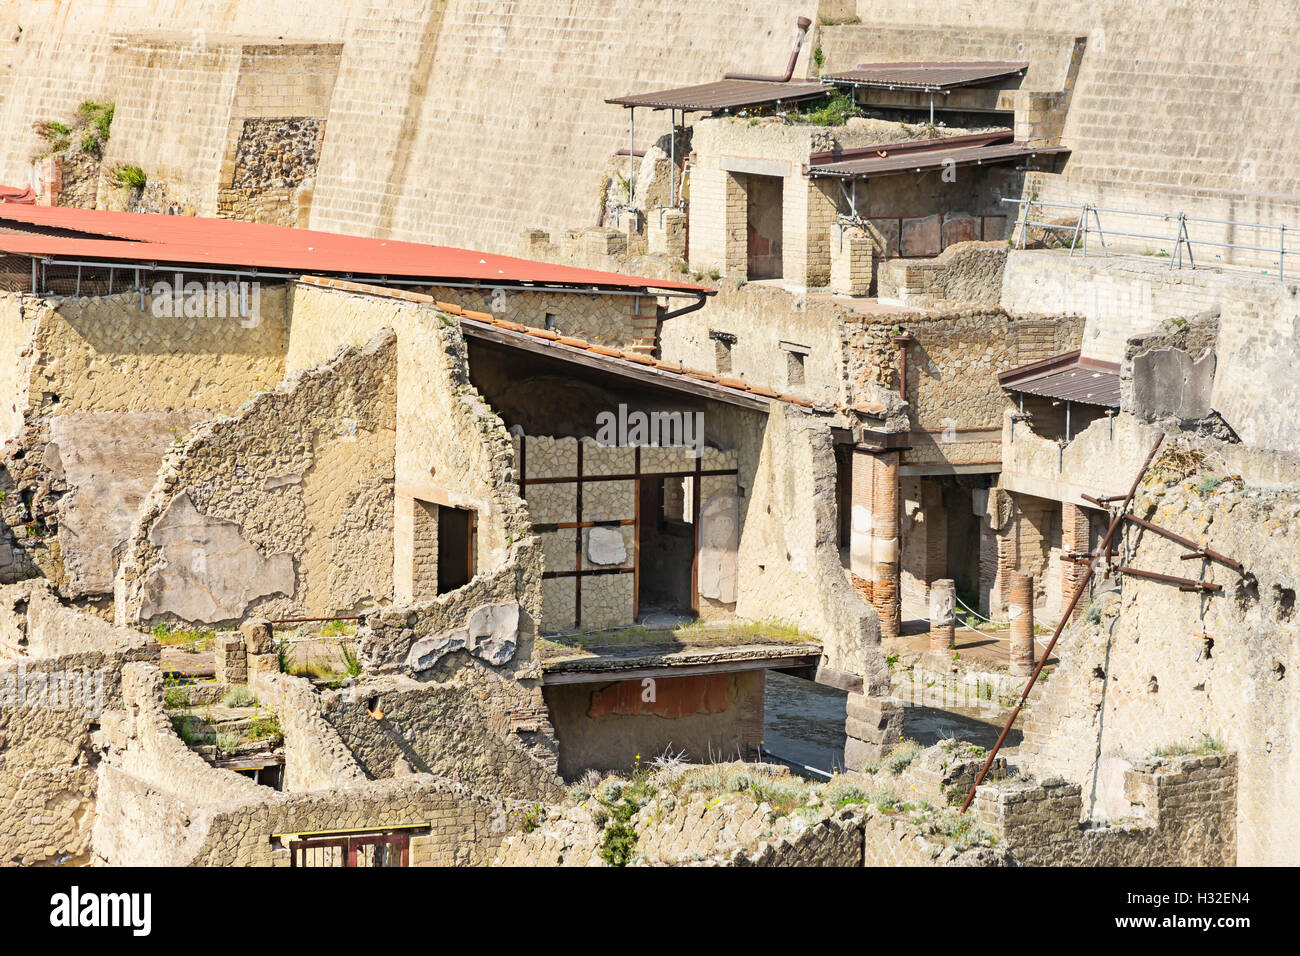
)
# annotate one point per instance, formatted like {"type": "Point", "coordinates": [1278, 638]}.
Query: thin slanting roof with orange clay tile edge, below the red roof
{"type": "Point", "coordinates": [609, 358]}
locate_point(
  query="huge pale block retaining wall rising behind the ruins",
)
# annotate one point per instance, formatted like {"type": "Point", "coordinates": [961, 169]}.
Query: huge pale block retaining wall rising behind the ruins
{"type": "Point", "coordinates": [1186, 67]}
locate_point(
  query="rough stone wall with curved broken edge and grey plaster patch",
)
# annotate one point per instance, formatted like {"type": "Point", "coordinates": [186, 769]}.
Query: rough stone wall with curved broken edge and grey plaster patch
{"type": "Point", "coordinates": [287, 507]}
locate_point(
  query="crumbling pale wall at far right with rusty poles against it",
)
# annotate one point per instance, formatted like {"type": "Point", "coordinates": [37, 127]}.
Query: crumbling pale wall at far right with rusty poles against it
{"type": "Point", "coordinates": [1164, 668]}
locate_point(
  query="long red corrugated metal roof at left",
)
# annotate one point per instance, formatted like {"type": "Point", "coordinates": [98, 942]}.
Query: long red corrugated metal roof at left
{"type": "Point", "coordinates": [215, 243]}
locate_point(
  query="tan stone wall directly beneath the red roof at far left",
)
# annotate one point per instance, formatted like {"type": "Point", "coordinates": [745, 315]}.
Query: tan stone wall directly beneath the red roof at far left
{"type": "Point", "coordinates": [98, 391]}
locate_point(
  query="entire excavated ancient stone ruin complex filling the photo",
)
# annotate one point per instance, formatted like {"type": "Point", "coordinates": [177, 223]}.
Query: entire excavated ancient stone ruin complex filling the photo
{"type": "Point", "coordinates": [431, 442]}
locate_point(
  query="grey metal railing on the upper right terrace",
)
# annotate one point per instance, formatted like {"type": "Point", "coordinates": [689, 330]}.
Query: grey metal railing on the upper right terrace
{"type": "Point", "coordinates": [1089, 222]}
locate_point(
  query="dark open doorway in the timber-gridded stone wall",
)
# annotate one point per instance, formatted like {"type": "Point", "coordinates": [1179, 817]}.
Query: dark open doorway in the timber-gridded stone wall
{"type": "Point", "coordinates": [666, 543]}
